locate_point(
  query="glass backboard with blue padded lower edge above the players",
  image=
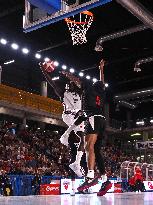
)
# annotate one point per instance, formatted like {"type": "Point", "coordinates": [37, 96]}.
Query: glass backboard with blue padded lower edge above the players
{"type": "Point", "coordinates": [40, 13]}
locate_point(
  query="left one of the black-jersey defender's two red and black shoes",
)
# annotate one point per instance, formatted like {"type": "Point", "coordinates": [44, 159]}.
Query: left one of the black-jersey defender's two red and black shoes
{"type": "Point", "coordinates": [88, 183]}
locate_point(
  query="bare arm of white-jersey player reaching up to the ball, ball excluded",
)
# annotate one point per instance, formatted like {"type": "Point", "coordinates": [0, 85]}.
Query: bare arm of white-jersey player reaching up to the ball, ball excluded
{"type": "Point", "coordinates": [57, 89]}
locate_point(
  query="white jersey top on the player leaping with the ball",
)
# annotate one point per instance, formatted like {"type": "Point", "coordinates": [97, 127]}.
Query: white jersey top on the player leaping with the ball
{"type": "Point", "coordinates": [72, 101]}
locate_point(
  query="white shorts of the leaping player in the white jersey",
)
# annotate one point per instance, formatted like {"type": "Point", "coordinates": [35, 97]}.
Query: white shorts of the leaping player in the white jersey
{"type": "Point", "coordinates": [69, 119]}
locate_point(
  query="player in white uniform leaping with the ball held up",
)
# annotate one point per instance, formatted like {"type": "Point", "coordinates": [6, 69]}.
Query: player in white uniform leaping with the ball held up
{"type": "Point", "coordinates": [70, 95]}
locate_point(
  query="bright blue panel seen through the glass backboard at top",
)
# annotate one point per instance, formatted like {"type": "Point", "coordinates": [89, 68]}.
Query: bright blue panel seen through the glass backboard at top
{"type": "Point", "coordinates": [50, 6]}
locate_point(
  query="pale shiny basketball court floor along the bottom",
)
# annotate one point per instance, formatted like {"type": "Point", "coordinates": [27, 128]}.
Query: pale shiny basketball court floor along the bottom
{"type": "Point", "coordinates": [145, 198]}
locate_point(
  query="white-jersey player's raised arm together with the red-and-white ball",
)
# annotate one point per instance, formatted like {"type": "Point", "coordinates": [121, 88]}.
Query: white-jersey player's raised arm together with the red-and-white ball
{"type": "Point", "coordinates": [46, 68]}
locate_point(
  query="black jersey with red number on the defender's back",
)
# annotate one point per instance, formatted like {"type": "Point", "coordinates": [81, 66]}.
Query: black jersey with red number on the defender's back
{"type": "Point", "coordinates": [94, 98]}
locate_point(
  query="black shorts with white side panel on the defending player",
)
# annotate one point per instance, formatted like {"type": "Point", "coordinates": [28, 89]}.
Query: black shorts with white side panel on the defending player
{"type": "Point", "coordinates": [95, 125]}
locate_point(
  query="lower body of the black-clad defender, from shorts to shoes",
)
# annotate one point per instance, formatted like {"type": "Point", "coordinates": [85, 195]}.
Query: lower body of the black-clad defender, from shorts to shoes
{"type": "Point", "coordinates": [93, 149]}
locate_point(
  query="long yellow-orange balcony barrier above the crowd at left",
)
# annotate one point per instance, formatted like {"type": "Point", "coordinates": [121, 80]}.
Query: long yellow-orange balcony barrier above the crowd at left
{"type": "Point", "coordinates": [30, 100]}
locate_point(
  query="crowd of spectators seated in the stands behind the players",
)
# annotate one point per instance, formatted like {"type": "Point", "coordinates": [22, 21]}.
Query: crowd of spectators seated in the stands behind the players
{"type": "Point", "coordinates": [34, 151]}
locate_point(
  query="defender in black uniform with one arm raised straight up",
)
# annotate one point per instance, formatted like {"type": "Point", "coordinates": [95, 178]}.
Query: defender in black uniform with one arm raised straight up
{"type": "Point", "coordinates": [94, 99]}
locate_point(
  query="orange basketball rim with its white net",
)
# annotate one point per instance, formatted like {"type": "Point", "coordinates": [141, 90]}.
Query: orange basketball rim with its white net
{"type": "Point", "coordinates": [78, 29]}
